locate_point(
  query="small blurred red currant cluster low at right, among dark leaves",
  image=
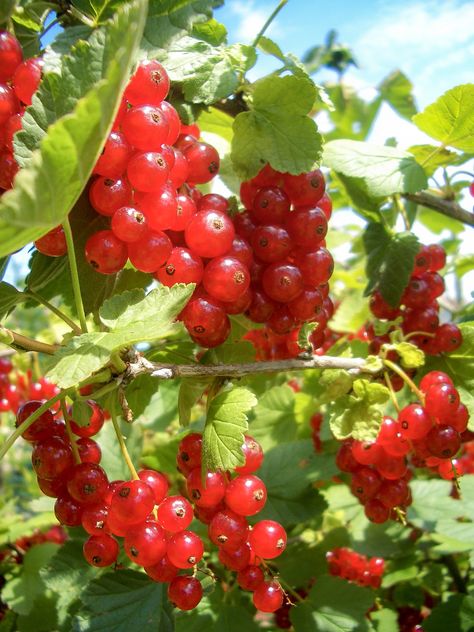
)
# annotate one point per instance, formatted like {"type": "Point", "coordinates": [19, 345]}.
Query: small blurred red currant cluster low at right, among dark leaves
{"type": "Point", "coordinates": [357, 568]}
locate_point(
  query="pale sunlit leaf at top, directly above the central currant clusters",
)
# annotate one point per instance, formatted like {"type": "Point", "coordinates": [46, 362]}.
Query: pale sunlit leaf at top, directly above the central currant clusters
{"type": "Point", "coordinates": [207, 73]}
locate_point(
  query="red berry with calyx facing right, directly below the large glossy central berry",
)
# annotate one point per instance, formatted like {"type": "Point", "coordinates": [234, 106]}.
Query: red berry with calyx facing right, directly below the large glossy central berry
{"type": "Point", "coordinates": [226, 278]}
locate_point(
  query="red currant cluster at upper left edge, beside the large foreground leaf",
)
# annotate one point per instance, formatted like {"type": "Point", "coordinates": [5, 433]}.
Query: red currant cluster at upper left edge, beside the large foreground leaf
{"type": "Point", "coordinates": [19, 80]}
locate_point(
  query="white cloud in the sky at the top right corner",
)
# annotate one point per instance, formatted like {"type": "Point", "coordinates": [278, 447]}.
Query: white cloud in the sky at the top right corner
{"type": "Point", "coordinates": [431, 41]}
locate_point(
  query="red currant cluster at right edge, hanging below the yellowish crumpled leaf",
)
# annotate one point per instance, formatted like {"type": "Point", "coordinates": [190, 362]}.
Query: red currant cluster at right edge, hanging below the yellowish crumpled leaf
{"type": "Point", "coordinates": [431, 431]}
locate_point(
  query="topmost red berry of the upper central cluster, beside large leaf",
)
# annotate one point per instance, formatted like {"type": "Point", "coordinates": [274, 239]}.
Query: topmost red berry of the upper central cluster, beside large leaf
{"type": "Point", "coordinates": [149, 83]}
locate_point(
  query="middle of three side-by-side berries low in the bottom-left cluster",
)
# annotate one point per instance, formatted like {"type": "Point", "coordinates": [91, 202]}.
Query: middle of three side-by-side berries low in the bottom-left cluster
{"type": "Point", "coordinates": [145, 543]}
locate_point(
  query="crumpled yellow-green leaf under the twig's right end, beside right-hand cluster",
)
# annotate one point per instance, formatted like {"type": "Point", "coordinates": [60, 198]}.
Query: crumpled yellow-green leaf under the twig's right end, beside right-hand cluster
{"type": "Point", "coordinates": [359, 414]}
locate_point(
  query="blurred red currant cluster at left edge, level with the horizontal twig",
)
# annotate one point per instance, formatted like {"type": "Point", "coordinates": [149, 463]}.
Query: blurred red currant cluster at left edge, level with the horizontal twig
{"type": "Point", "coordinates": [17, 387]}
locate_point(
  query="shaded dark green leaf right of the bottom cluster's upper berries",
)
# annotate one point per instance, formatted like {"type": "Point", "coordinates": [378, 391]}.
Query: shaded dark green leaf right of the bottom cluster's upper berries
{"type": "Point", "coordinates": [288, 471]}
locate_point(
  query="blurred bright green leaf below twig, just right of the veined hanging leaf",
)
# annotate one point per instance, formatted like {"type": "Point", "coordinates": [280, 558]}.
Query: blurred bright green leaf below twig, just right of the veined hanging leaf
{"type": "Point", "coordinates": [273, 420]}
